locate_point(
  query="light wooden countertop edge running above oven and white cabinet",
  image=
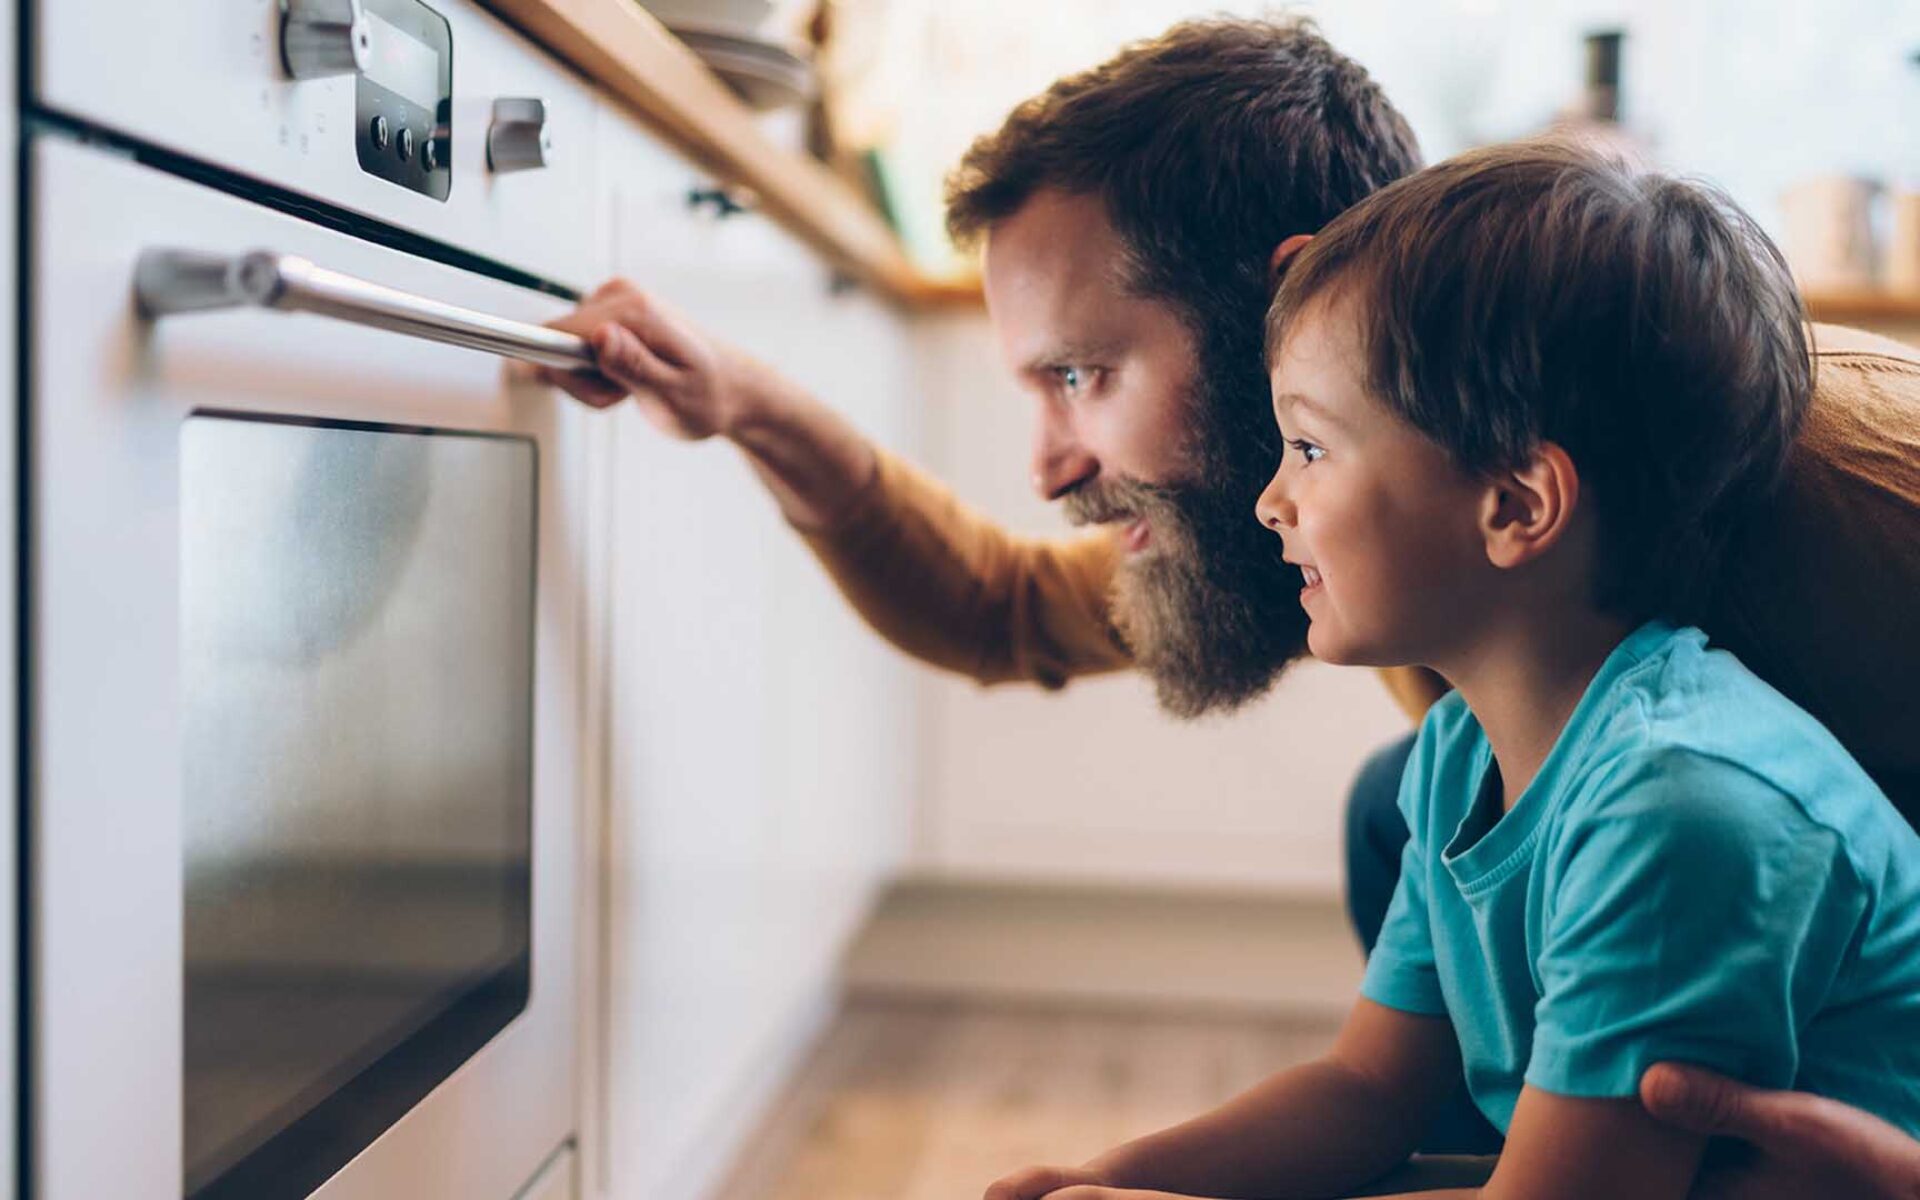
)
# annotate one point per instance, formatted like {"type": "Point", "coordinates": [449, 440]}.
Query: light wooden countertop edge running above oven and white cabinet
{"type": "Point", "coordinates": [635, 59]}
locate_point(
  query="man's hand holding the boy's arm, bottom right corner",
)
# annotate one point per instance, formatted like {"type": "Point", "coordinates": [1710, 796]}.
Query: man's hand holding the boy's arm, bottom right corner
{"type": "Point", "coordinates": [1800, 1145]}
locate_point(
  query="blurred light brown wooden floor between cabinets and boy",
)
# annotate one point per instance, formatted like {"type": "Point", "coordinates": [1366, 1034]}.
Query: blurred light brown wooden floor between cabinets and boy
{"type": "Point", "coordinates": [928, 1101]}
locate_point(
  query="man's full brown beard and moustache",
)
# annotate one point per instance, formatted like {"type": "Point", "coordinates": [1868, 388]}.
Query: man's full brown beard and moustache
{"type": "Point", "coordinates": [1209, 610]}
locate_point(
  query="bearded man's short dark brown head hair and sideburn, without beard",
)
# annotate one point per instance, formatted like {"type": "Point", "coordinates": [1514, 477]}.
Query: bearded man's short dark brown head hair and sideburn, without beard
{"type": "Point", "coordinates": [1207, 145]}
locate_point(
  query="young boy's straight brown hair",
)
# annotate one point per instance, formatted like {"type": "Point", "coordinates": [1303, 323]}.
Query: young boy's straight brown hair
{"type": "Point", "coordinates": [1545, 293]}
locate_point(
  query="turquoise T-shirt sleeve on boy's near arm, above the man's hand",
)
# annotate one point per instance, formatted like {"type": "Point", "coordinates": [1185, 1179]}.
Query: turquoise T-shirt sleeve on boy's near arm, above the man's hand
{"type": "Point", "coordinates": [1692, 913]}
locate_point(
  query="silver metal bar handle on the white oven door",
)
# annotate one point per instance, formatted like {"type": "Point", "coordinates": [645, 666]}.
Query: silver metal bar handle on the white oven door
{"type": "Point", "coordinates": [191, 281]}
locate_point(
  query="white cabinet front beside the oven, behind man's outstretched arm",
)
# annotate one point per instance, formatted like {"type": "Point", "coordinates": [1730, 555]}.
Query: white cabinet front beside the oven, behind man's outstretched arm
{"type": "Point", "coordinates": [759, 742]}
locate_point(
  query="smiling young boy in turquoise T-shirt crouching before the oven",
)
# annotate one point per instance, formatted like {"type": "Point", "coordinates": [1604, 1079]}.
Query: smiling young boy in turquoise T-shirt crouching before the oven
{"type": "Point", "coordinates": [1527, 396]}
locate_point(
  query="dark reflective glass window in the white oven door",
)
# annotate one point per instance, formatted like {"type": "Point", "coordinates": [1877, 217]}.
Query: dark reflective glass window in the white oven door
{"type": "Point", "coordinates": [358, 669]}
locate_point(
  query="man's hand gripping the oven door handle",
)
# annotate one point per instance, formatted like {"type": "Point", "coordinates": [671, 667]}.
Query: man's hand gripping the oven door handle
{"type": "Point", "coordinates": [686, 383]}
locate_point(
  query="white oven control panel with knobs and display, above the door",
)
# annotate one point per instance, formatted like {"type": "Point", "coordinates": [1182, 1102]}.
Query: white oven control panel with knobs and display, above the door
{"type": "Point", "coordinates": [354, 105]}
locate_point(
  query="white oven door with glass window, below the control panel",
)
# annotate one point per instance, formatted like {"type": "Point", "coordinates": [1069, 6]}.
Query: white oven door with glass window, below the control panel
{"type": "Point", "coordinates": [304, 767]}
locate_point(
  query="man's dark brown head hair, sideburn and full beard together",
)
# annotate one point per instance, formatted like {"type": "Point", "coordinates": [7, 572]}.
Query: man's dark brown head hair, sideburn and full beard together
{"type": "Point", "coordinates": [1205, 149]}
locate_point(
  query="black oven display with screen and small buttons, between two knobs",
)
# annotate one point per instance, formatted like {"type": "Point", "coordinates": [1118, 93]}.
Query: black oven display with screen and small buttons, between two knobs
{"type": "Point", "coordinates": [404, 99]}
